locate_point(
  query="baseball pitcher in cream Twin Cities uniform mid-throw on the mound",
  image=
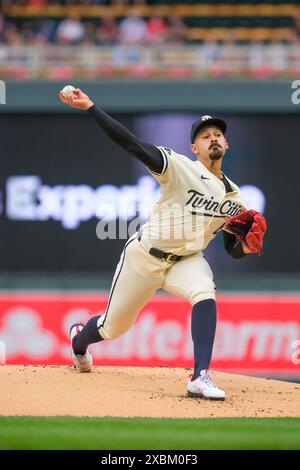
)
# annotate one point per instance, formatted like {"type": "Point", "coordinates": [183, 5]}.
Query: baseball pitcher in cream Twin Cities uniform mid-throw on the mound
{"type": "Point", "coordinates": [197, 201]}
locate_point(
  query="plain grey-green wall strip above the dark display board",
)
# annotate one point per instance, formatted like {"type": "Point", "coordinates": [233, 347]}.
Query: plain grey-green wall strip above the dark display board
{"type": "Point", "coordinates": [220, 95]}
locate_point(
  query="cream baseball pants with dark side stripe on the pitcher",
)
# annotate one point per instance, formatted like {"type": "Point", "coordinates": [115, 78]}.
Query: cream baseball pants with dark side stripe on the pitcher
{"type": "Point", "coordinates": [138, 275]}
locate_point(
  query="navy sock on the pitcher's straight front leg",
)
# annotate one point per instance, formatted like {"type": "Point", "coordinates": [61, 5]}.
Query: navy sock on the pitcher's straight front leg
{"type": "Point", "coordinates": [204, 320]}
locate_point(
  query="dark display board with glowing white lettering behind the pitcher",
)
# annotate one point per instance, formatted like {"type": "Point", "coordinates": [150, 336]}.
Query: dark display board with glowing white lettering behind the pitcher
{"type": "Point", "coordinates": [56, 187]}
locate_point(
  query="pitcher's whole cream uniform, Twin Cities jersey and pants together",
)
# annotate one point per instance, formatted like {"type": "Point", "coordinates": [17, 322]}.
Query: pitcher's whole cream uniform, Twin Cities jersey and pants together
{"type": "Point", "coordinates": [192, 207]}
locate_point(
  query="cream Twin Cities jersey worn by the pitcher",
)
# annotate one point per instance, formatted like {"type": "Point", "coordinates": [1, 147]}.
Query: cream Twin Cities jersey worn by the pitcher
{"type": "Point", "coordinates": [192, 207]}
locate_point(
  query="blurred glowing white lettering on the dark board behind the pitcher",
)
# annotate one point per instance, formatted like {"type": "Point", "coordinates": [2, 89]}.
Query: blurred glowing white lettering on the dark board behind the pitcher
{"type": "Point", "coordinates": [28, 199]}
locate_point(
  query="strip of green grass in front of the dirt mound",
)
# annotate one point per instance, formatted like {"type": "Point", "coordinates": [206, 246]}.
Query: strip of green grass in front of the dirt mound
{"type": "Point", "coordinates": [142, 433]}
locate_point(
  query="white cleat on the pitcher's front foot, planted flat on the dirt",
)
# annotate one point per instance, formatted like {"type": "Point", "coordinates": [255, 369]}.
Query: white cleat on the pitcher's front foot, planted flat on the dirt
{"type": "Point", "coordinates": [203, 387]}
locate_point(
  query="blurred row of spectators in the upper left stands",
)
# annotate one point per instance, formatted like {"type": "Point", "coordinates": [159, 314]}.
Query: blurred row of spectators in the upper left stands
{"type": "Point", "coordinates": [72, 30]}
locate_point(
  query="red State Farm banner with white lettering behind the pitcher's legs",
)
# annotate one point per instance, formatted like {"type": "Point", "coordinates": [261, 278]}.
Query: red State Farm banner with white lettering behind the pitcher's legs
{"type": "Point", "coordinates": [258, 334]}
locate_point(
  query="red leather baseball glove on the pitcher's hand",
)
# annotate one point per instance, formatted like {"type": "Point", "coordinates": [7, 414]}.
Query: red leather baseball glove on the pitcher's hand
{"type": "Point", "coordinates": [249, 227]}
